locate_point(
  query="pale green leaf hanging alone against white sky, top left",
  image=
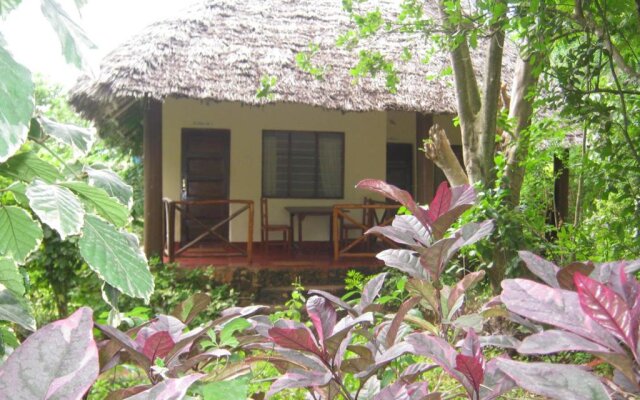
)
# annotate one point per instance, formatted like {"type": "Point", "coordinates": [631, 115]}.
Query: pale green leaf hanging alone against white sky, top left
{"type": "Point", "coordinates": [71, 35]}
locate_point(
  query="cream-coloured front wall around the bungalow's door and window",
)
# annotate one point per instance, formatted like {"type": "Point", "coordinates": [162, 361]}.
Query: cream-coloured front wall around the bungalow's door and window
{"type": "Point", "coordinates": [365, 152]}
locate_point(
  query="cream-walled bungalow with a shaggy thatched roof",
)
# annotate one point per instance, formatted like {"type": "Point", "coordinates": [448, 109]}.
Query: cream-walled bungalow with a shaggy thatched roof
{"type": "Point", "coordinates": [207, 134]}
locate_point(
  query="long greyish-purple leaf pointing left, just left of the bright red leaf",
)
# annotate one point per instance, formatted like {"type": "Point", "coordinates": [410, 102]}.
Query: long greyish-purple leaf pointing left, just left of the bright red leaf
{"type": "Point", "coordinates": [557, 307]}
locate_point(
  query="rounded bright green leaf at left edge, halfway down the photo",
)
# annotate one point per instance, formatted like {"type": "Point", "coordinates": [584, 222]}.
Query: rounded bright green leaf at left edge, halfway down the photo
{"type": "Point", "coordinates": [19, 233]}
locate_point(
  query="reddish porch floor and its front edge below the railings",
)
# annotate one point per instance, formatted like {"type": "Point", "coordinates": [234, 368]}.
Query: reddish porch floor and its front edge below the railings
{"type": "Point", "coordinates": [268, 279]}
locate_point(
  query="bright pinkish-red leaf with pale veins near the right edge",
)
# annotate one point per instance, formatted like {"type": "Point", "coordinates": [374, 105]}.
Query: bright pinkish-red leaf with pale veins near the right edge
{"type": "Point", "coordinates": [607, 308]}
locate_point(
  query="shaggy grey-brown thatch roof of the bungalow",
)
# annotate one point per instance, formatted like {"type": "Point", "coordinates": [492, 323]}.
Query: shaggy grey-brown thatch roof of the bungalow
{"type": "Point", "coordinates": [220, 49]}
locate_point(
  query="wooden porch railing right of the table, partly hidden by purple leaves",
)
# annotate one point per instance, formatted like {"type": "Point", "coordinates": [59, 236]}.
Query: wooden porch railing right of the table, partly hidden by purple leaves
{"type": "Point", "coordinates": [342, 213]}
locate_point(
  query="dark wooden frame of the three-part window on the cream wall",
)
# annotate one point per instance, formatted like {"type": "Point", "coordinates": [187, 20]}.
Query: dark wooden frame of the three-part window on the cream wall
{"type": "Point", "coordinates": [316, 134]}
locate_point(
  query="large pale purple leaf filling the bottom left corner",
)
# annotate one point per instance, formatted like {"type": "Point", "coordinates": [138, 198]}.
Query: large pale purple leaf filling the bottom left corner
{"type": "Point", "coordinates": [59, 361]}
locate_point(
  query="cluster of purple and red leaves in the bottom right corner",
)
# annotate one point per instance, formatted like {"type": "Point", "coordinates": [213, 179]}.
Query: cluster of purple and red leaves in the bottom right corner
{"type": "Point", "coordinates": [591, 308]}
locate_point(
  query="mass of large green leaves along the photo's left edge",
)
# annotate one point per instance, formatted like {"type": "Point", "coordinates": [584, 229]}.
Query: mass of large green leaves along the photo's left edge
{"type": "Point", "coordinates": [46, 188]}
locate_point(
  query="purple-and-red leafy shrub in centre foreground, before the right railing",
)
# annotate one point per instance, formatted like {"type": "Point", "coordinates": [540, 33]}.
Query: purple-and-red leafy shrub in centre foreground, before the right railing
{"type": "Point", "coordinates": [342, 357]}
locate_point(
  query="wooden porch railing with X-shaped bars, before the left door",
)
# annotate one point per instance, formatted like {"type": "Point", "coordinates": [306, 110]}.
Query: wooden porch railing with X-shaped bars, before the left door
{"type": "Point", "coordinates": [170, 208]}
